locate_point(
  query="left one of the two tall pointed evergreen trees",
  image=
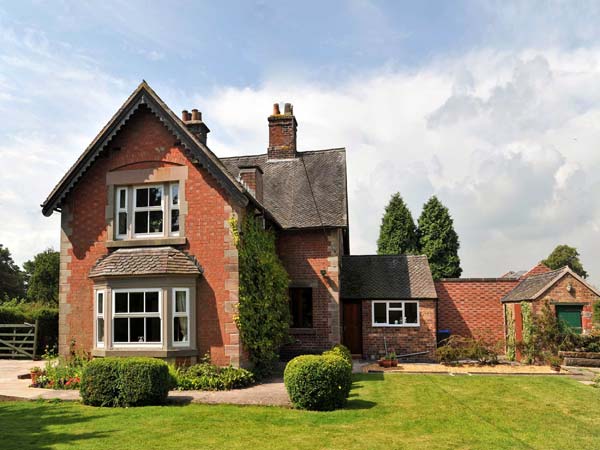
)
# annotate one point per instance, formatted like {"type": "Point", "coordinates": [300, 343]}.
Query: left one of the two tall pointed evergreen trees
{"type": "Point", "coordinates": [398, 233]}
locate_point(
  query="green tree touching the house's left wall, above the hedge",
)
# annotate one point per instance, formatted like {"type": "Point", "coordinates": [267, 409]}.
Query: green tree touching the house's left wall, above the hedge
{"type": "Point", "coordinates": [42, 277]}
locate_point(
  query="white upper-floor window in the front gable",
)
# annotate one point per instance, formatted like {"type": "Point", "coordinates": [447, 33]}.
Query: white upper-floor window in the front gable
{"type": "Point", "coordinates": [147, 211]}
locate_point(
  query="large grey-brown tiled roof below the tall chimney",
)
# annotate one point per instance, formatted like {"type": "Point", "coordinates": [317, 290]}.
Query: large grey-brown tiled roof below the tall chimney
{"type": "Point", "coordinates": [303, 192]}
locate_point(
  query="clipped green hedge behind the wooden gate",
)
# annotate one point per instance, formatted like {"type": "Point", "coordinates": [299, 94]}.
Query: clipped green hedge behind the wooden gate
{"type": "Point", "coordinates": [20, 312]}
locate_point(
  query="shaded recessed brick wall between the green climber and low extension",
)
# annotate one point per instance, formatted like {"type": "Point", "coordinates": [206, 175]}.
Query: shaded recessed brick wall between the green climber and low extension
{"type": "Point", "coordinates": [304, 254]}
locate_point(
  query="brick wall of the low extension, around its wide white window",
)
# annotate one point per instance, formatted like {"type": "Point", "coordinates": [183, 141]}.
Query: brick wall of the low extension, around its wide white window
{"type": "Point", "coordinates": [401, 340]}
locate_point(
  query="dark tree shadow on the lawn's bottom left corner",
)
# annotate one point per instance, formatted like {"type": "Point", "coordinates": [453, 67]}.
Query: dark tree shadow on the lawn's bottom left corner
{"type": "Point", "coordinates": [28, 426]}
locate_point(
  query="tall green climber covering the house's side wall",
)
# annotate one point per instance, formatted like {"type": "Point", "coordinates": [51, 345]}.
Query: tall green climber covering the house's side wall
{"type": "Point", "coordinates": [263, 315]}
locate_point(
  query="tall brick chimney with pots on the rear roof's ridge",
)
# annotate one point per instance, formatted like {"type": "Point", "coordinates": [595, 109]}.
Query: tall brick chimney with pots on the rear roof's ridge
{"type": "Point", "coordinates": [282, 133]}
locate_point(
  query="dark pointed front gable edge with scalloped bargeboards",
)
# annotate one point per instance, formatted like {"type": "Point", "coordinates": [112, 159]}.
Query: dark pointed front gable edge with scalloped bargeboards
{"type": "Point", "coordinates": [144, 96]}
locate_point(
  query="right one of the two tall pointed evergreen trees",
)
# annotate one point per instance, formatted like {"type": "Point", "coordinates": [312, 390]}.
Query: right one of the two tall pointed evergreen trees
{"type": "Point", "coordinates": [438, 240]}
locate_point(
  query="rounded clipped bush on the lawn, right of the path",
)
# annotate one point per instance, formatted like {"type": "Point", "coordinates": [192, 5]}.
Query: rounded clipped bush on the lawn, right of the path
{"type": "Point", "coordinates": [318, 382]}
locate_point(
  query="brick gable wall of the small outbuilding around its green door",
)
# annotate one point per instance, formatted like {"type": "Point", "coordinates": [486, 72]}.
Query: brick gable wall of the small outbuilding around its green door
{"type": "Point", "coordinates": [579, 294]}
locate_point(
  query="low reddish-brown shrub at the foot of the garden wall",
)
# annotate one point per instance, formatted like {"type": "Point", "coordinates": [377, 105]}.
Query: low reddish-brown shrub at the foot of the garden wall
{"type": "Point", "coordinates": [458, 348]}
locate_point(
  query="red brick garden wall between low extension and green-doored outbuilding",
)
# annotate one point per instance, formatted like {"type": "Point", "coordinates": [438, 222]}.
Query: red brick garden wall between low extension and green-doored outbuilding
{"type": "Point", "coordinates": [472, 307]}
